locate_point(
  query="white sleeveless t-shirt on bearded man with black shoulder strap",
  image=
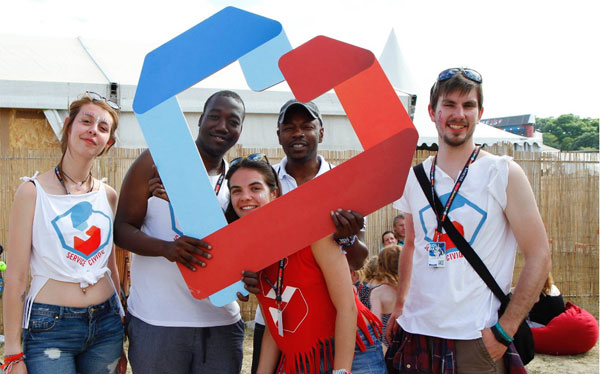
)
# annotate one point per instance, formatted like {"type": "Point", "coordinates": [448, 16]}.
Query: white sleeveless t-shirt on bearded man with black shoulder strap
{"type": "Point", "coordinates": [453, 302]}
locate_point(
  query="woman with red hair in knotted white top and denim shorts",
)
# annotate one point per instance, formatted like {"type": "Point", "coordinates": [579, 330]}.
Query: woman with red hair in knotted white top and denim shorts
{"type": "Point", "coordinates": [60, 227]}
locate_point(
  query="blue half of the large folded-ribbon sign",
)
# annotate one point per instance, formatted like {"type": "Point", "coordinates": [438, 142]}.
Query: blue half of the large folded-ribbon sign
{"type": "Point", "coordinates": [225, 37]}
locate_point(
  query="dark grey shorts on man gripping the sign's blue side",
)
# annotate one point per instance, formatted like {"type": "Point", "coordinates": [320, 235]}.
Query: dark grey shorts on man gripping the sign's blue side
{"type": "Point", "coordinates": [184, 350]}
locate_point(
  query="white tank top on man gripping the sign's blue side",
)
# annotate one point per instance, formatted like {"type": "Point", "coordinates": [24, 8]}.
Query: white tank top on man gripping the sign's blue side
{"type": "Point", "coordinates": [159, 295]}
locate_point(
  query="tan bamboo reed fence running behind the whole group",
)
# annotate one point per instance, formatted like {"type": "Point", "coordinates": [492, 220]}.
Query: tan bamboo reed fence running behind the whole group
{"type": "Point", "coordinates": [565, 187]}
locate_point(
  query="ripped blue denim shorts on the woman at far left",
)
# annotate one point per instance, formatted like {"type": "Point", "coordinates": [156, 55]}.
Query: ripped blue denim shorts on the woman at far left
{"type": "Point", "coordinates": [66, 340]}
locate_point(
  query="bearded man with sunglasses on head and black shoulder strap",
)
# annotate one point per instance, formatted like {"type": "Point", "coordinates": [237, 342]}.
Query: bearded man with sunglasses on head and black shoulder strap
{"type": "Point", "coordinates": [443, 307]}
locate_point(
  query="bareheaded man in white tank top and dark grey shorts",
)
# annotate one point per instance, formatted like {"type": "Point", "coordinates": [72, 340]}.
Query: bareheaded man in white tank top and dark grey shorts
{"type": "Point", "coordinates": [169, 330]}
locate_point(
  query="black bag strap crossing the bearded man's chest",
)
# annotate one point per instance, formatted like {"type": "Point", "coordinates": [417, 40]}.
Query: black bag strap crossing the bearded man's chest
{"type": "Point", "coordinates": [463, 246]}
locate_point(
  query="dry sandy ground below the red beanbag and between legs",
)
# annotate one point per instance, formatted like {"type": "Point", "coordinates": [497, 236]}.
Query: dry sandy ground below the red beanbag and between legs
{"type": "Point", "coordinates": [586, 363]}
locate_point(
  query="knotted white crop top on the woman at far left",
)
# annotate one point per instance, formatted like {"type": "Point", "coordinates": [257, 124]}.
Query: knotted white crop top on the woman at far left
{"type": "Point", "coordinates": [71, 241]}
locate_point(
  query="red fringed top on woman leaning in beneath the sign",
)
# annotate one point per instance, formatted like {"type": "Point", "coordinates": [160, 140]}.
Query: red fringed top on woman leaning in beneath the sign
{"type": "Point", "coordinates": [308, 314]}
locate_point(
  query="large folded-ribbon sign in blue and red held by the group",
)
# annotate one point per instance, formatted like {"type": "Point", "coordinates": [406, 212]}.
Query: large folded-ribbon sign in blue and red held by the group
{"type": "Point", "coordinates": [266, 57]}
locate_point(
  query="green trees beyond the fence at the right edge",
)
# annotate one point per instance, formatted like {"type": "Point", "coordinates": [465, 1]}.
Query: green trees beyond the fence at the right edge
{"type": "Point", "coordinates": [569, 132]}
